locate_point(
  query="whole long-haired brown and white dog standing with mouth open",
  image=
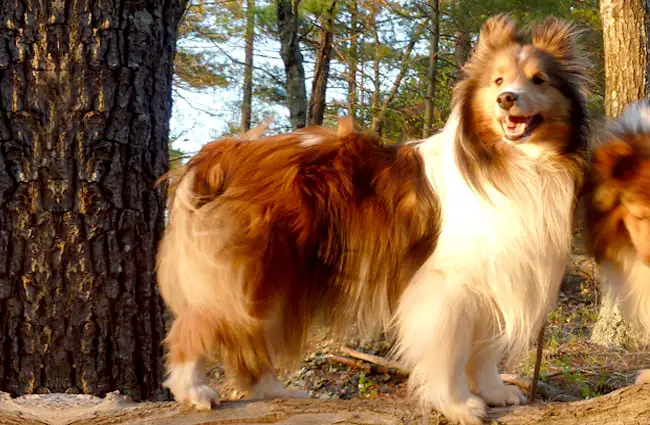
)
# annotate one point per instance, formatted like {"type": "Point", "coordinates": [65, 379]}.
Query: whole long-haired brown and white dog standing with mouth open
{"type": "Point", "coordinates": [458, 243]}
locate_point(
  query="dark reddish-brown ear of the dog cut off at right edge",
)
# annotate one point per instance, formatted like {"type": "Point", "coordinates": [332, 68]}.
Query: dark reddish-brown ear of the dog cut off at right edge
{"type": "Point", "coordinates": [616, 160]}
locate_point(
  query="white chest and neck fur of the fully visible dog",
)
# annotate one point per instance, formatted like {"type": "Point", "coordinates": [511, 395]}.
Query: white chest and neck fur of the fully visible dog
{"type": "Point", "coordinates": [511, 250]}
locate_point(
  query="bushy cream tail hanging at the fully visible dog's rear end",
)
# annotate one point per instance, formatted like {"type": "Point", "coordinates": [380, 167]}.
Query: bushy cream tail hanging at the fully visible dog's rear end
{"type": "Point", "coordinates": [194, 271]}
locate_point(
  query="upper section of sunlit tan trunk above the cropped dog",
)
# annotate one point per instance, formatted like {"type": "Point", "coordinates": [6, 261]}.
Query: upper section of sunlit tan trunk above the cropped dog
{"type": "Point", "coordinates": [625, 35]}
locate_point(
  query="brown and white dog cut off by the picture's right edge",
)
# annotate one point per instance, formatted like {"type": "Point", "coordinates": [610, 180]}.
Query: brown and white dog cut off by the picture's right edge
{"type": "Point", "coordinates": [617, 213]}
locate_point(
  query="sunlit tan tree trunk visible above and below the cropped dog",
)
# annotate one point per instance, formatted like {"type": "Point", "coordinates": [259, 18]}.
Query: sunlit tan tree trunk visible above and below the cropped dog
{"type": "Point", "coordinates": [625, 35]}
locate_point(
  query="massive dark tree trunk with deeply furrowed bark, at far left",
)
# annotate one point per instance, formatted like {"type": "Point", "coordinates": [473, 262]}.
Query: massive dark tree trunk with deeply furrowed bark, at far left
{"type": "Point", "coordinates": [85, 104]}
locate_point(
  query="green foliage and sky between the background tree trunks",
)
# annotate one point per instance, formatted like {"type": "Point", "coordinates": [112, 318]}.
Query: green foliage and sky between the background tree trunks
{"type": "Point", "coordinates": [211, 45]}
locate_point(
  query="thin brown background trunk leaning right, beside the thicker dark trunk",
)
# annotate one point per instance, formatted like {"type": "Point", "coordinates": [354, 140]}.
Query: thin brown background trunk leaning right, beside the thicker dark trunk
{"type": "Point", "coordinates": [317, 101]}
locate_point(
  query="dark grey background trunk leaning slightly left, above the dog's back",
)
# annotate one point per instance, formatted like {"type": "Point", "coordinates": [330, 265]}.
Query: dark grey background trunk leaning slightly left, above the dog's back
{"type": "Point", "coordinates": [287, 14]}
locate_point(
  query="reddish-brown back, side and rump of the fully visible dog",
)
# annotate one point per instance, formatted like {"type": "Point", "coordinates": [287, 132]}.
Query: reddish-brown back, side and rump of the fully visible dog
{"type": "Point", "coordinates": [267, 235]}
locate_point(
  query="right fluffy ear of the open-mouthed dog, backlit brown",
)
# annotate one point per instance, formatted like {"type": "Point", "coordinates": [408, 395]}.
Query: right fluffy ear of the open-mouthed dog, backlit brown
{"type": "Point", "coordinates": [557, 37]}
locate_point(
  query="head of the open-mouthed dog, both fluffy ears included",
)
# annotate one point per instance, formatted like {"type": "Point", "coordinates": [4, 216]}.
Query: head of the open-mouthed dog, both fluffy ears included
{"type": "Point", "coordinates": [526, 94]}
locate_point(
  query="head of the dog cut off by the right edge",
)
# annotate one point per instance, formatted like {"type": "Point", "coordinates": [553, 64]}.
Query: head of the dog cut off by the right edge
{"type": "Point", "coordinates": [621, 178]}
